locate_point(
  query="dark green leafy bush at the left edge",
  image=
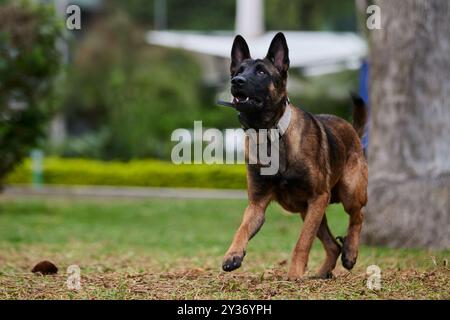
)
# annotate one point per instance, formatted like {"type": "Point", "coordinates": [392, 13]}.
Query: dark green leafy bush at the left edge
{"type": "Point", "coordinates": [29, 63]}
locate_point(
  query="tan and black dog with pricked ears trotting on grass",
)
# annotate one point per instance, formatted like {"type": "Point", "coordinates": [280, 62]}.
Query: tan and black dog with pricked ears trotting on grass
{"type": "Point", "coordinates": [322, 157]}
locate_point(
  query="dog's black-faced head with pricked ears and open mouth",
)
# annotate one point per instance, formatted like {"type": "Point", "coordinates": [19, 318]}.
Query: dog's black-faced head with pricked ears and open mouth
{"type": "Point", "coordinates": [258, 86]}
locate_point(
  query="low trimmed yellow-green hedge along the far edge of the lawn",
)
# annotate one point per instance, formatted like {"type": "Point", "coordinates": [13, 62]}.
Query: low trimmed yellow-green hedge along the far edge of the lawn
{"type": "Point", "coordinates": [134, 173]}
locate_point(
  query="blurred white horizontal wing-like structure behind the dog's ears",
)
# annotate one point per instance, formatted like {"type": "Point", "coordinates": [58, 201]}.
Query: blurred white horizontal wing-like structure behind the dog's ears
{"type": "Point", "coordinates": [314, 52]}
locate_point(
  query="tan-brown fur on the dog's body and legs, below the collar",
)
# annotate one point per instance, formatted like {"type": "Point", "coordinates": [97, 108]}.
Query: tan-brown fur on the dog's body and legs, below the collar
{"type": "Point", "coordinates": [346, 180]}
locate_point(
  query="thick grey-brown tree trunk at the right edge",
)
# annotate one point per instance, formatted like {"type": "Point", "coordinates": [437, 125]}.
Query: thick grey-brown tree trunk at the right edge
{"type": "Point", "coordinates": [409, 146]}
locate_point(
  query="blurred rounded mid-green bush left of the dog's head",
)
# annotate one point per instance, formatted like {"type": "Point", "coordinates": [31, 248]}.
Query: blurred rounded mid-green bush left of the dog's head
{"type": "Point", "coordinates": [148, 102]}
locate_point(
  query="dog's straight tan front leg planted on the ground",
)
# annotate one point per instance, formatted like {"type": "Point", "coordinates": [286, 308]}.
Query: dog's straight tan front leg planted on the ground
{"type": "Point", "coordinates": [313, 218]}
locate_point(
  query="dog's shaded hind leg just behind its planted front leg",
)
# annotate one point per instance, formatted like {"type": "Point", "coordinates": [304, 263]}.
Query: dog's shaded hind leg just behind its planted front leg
{"type": "Point", "coordinates": [332, 250]}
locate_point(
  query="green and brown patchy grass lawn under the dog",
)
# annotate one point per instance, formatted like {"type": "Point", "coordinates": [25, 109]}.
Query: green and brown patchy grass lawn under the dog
{"type": "Point", "coordinates": [172, 249]}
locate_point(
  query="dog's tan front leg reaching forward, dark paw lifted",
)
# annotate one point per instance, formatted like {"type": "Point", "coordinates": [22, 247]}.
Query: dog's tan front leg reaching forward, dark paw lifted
{"type": "Point", "coordinates": [251, 223]}
